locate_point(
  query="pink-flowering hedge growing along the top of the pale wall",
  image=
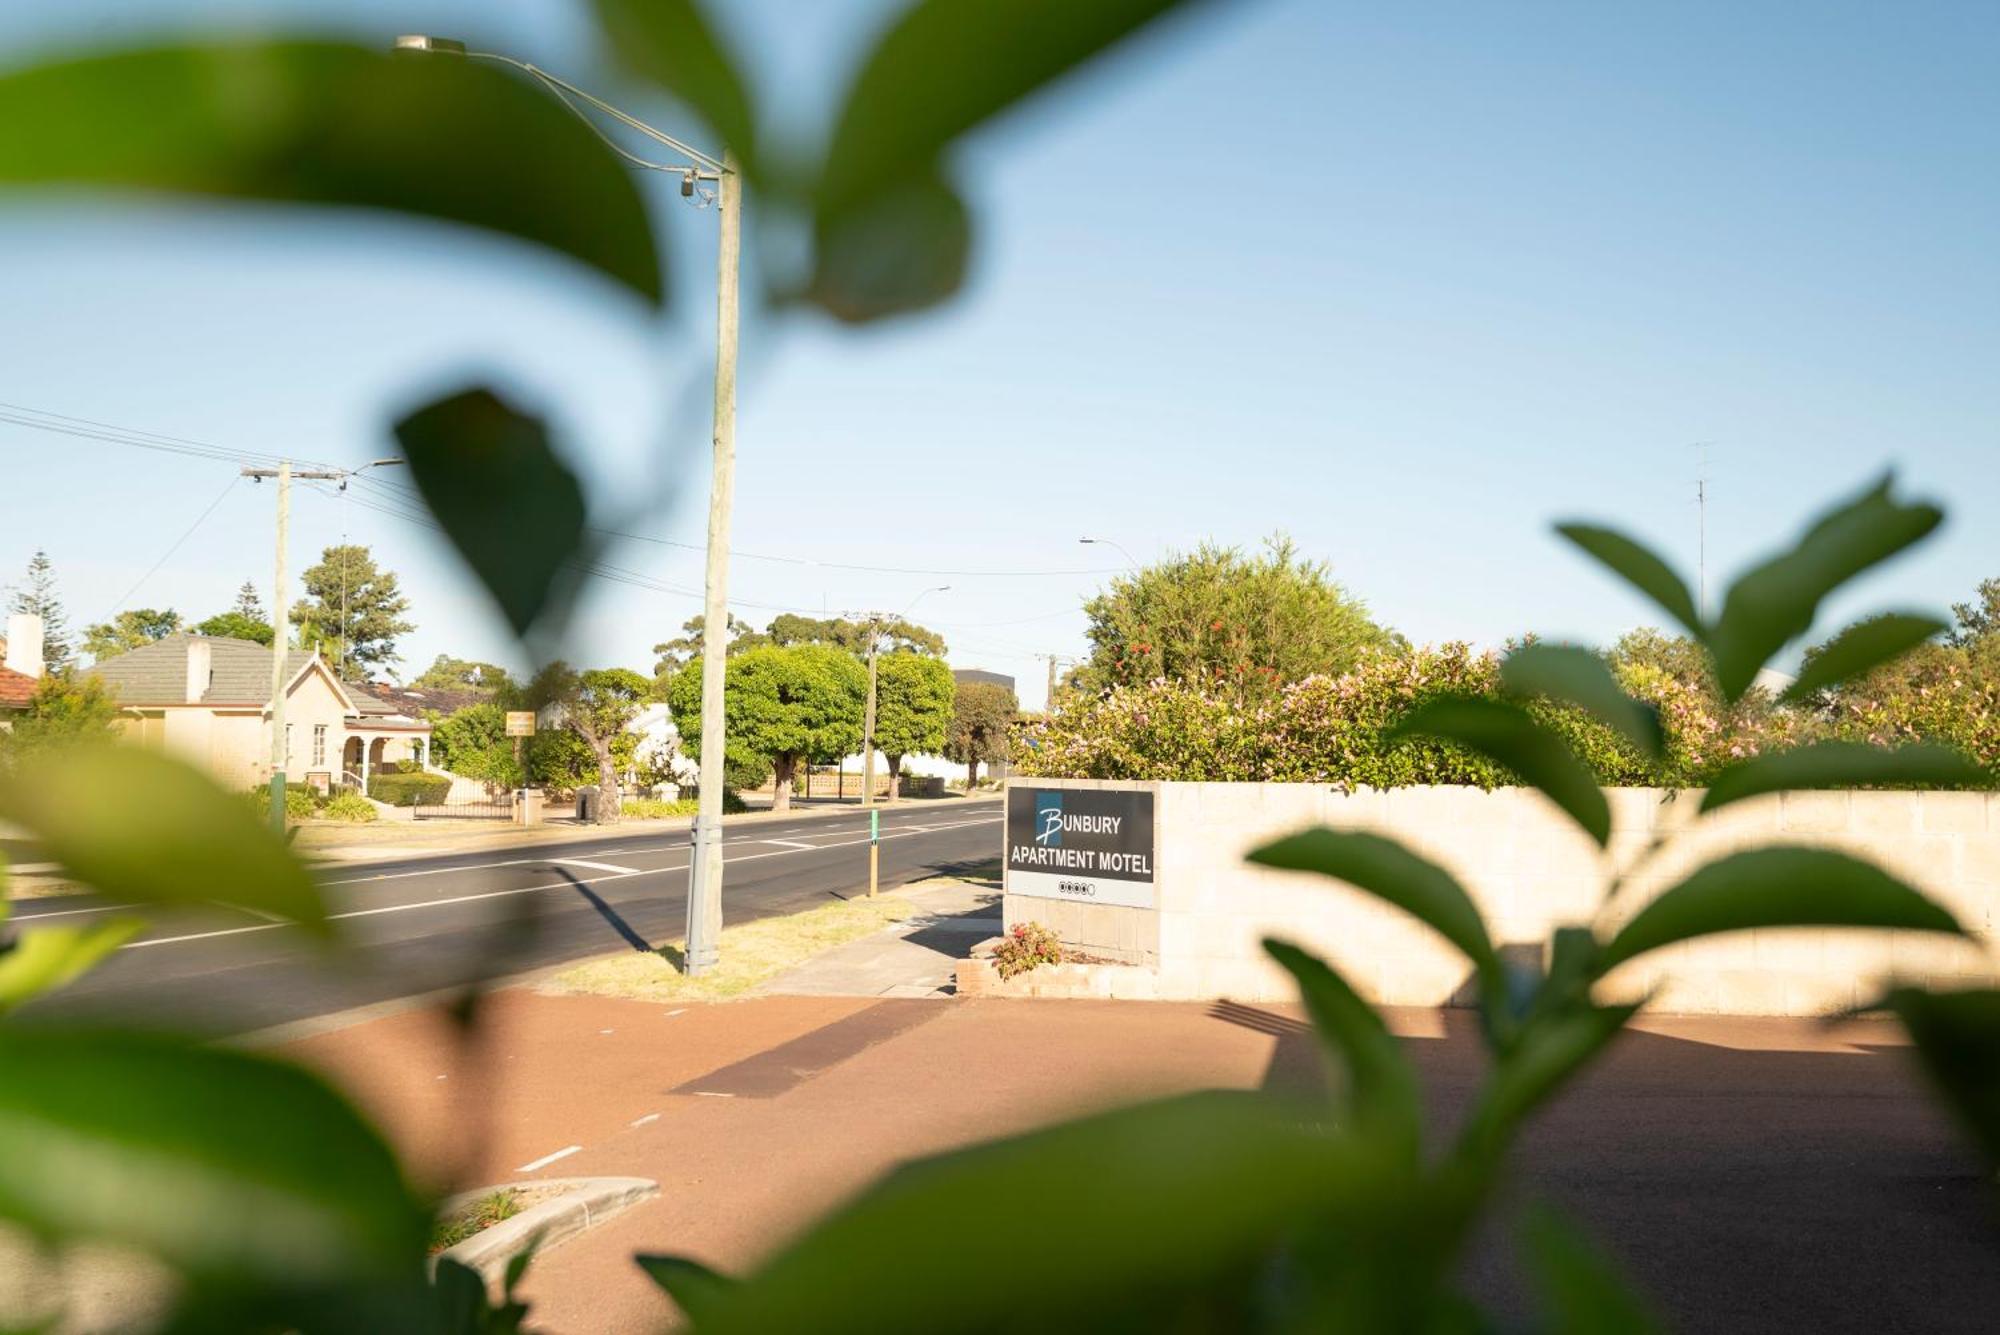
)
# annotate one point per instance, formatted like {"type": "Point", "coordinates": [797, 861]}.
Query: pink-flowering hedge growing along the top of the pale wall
{"type": "Point", "coordinates": [1339, 730]}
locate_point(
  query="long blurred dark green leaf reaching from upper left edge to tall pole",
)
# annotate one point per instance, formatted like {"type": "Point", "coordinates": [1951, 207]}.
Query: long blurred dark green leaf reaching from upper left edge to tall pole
{"type": "Point", "coordinates": [317, 123]}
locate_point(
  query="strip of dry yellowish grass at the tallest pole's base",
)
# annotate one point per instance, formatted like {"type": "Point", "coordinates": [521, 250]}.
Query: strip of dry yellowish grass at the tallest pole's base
{"type": "Point", "coordinates": [751, 954]}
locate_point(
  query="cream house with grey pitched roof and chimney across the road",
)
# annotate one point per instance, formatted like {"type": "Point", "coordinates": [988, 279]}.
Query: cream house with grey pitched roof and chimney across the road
{"type": "Point", "coordinates": [207, 698]}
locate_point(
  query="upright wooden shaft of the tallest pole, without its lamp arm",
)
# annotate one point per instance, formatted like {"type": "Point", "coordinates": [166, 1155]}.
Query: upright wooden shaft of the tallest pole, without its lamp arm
{"type": "Point", "coordinates": [705, 874]}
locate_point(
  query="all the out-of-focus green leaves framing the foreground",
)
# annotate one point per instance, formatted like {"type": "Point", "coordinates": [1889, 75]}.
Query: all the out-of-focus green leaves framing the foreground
{"type": "Point", "coordinates": [281, 1208]}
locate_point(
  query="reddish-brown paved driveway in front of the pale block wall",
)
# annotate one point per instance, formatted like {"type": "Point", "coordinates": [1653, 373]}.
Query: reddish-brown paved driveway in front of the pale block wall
{"type": "Point", "coordinates": [1751, 1174]}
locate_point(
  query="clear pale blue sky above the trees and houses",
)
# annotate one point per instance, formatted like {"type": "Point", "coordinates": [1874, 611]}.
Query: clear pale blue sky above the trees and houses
{"type": "Point", "coordinates": [1407, 283]}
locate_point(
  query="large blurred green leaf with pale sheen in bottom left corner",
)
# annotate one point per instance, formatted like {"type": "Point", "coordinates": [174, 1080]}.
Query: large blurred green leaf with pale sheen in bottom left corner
{"type": "Point", "coordinates": [223, 1164]}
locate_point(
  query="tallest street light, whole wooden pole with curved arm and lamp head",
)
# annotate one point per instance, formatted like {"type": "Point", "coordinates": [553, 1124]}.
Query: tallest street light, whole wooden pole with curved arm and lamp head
{"type": "Point", "coordinates": [705, 874]}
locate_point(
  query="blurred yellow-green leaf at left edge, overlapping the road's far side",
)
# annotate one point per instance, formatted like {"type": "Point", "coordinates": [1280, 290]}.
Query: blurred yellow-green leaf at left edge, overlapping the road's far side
{"type": "Point", "coordinates": [147, 828]}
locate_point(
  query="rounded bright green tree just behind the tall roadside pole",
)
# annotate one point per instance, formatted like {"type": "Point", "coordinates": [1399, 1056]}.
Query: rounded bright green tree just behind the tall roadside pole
{"type": "Point", "coordinates": [783, 704]}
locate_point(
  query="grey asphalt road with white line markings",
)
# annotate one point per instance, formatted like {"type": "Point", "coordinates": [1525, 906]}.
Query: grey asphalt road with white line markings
{"type": "Point", "coordinates": [431, 924]}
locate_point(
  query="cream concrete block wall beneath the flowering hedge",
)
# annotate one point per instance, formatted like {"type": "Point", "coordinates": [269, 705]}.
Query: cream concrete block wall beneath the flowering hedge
{"type": "Point", "coordinates": [1531, 870]}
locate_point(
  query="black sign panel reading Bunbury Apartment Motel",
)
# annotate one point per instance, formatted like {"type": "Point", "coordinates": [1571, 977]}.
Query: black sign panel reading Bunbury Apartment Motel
{"type": "Point", "coordinates": [1081, 844]}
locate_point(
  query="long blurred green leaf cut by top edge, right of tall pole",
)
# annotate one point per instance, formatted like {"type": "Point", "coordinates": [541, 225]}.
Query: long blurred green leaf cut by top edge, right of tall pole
{"type": "Point", "coordinates": [945, 67]}
